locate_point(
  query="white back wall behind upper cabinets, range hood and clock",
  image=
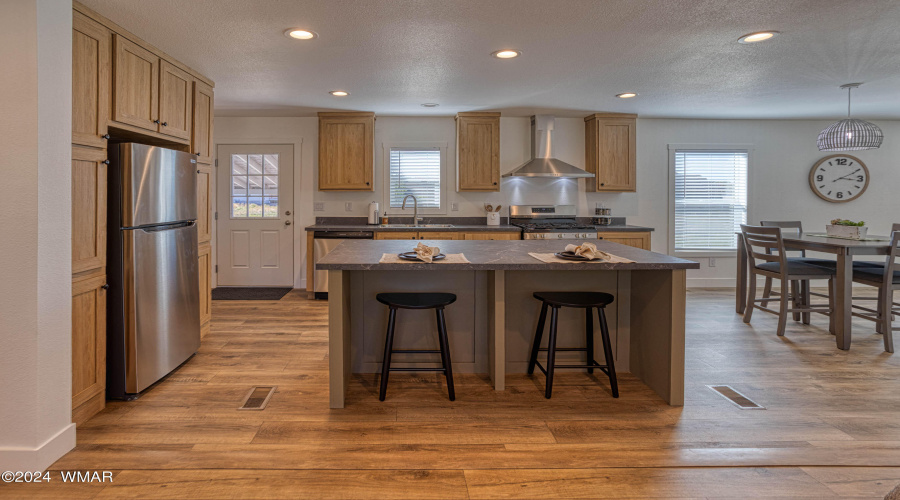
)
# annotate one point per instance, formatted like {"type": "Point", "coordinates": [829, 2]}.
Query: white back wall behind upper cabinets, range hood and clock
{"type": "Point", "coordinates": [784, 151]}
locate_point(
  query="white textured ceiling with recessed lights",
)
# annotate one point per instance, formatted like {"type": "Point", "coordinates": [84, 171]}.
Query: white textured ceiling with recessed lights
{"type": "Point", "coordinates": [681, 56]}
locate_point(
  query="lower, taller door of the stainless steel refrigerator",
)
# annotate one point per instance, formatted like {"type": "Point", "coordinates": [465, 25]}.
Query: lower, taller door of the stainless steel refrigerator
{"type": "Point", "coordinates": [162, 298]}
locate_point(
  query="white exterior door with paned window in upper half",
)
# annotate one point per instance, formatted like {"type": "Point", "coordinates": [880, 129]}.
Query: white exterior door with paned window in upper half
{"type": "Point", "coordinates": [255, 205]}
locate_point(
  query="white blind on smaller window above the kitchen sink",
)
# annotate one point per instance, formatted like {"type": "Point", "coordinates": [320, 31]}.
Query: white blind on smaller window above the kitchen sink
{"type": "Point", "coordinates": [415, 171]}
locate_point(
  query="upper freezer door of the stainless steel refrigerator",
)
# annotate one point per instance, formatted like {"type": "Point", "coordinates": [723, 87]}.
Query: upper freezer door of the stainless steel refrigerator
{"type": "Point", "coordinates": [158, 185]}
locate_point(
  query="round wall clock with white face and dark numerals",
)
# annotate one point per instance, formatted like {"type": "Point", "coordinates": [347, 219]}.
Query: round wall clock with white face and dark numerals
{"type": "Point", "coordinates": [839, 178]}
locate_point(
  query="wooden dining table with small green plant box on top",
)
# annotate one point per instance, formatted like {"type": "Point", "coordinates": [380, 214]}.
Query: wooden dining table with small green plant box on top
{"type": "Point", "coordinates": [844, 250]}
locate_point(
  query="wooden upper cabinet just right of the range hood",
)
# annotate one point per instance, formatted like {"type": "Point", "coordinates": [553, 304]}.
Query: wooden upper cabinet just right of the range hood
{"type": "Point", "coordinates": [610, 141]}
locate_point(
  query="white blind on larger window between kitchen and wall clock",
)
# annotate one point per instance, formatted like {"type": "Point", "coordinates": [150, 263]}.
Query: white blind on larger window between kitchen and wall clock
{"type": "Point", "coordinates": [710, 198]}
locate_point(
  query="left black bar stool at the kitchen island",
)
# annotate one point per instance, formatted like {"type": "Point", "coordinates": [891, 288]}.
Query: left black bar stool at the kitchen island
{"type": "Point", "coordinates": [436, 301]}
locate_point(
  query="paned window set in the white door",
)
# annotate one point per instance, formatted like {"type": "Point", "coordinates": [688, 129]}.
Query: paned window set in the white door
{"type": "Point", "coordinates": [254, 186]}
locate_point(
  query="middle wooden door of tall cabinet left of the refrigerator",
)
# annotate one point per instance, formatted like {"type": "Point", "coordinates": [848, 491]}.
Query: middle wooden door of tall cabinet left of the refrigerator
{"type": "Point", "coordinates": [88, 210]}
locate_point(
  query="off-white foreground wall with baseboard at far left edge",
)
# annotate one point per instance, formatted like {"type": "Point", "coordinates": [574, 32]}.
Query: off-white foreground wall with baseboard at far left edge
{"type": "Point", "coordinates": [35, 292]}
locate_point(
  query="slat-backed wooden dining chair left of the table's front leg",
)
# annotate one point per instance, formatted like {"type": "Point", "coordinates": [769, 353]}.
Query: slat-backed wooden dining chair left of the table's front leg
{"type": "Point", "coordinates": [765, 244]}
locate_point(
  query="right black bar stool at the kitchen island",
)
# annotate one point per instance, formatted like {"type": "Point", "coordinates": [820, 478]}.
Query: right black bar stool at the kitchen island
{"type": "Point", "coordinates": [584, 300]}
